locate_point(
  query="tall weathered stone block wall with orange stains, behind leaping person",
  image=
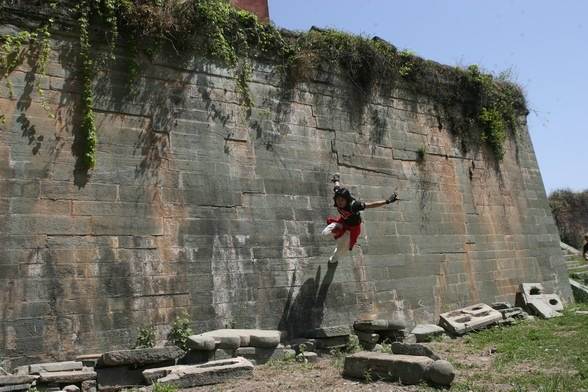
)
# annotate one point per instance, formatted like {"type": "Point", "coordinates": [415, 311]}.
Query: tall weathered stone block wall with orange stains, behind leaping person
{"type": "Point", "coordinates": [198, 204]}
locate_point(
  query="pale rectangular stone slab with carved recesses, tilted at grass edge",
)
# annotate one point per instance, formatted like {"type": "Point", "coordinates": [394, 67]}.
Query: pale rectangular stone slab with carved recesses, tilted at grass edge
{"type": "Point", "coordinates": [470, 318]}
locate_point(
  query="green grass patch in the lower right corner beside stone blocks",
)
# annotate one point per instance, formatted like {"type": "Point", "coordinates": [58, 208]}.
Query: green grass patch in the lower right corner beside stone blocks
{"type": "Point", "coordinates": [544, 355]}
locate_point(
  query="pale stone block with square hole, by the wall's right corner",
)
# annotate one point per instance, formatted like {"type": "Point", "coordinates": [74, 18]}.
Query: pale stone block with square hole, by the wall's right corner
{"type": "Point", "coordinates": [532, 296]}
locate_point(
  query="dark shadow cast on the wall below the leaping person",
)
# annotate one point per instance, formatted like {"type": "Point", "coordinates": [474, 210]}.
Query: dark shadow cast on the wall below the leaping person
{"type": "Point", "coordinates": [305, 311]}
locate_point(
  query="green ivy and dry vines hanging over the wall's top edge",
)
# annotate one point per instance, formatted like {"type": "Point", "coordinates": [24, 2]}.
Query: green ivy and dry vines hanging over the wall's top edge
{"type": "Point", "coordinates": [234, 38]}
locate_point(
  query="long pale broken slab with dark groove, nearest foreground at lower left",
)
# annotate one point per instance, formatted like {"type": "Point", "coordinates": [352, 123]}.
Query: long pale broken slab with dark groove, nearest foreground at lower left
{"type": "Point", "coordinates": [187, 376]}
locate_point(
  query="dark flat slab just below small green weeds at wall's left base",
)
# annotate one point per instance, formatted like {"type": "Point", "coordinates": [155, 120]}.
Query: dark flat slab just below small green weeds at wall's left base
{"type": "Point", "coordinates": [141, 356]}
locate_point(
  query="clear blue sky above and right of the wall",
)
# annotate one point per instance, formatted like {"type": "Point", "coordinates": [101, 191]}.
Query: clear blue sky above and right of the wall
{"type": "Point", "coordinates": [543, 42]}
